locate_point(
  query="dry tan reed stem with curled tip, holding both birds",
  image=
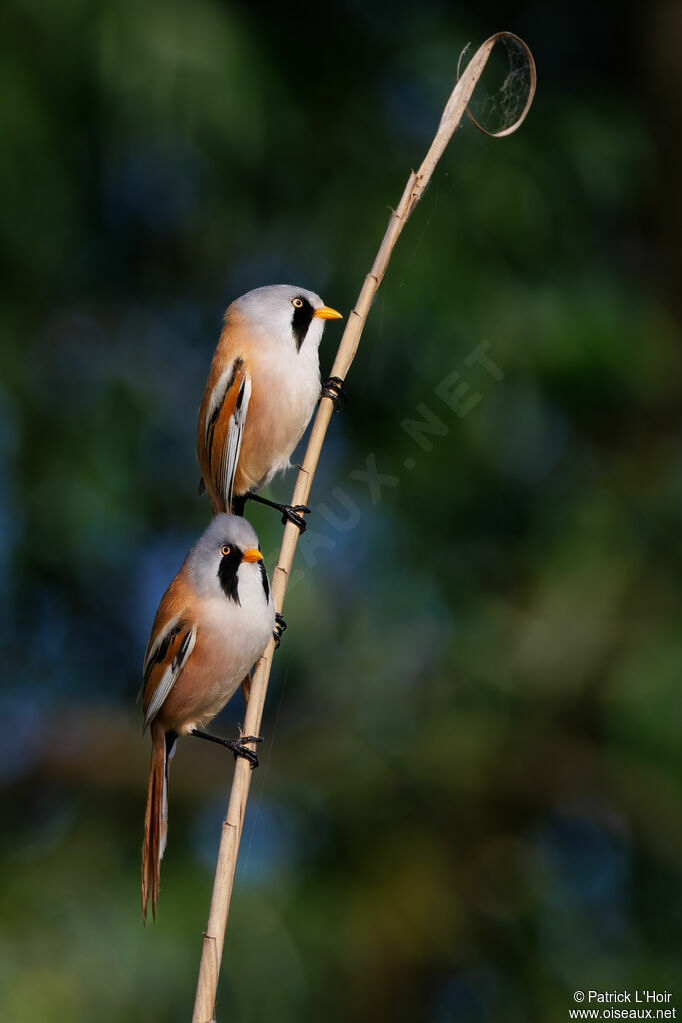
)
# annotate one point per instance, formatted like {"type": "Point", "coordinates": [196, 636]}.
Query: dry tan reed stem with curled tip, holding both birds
{"type": "Point", "coordinates": [228, 858]}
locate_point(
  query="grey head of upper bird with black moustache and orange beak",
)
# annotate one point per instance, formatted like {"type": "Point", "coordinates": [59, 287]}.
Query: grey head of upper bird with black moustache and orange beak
{"type": "Point", "coordinates": [289, 315]}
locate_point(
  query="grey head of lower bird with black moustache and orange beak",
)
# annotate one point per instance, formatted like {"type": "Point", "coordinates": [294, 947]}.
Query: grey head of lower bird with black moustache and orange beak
{"type": "Point", "coordinates": [226, 550]}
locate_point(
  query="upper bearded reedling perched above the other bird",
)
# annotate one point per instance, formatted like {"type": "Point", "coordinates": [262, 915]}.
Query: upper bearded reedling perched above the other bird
{"type": "Point", "coordinates": [262, 390]}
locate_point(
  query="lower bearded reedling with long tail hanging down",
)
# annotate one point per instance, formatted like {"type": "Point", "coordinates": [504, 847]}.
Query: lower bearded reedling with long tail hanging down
{"type": "Point", "coordinates": [213, 624]}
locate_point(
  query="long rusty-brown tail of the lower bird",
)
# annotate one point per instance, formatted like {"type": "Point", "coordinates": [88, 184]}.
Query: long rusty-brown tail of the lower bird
{"type": "Point", "coordinates": [156, 818]}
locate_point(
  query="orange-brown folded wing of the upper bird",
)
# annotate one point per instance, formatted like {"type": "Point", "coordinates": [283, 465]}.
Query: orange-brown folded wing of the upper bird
{"type": "Point", "coordinates": [223, 414]}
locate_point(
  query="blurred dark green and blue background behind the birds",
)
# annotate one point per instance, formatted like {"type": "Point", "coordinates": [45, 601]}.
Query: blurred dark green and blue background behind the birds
{"type": "Point", "coordinates": [470, 802]}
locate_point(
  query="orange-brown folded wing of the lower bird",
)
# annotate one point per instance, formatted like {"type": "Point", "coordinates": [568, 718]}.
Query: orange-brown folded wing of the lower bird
{"type": "Point", "coordinates": [171, 644]}
